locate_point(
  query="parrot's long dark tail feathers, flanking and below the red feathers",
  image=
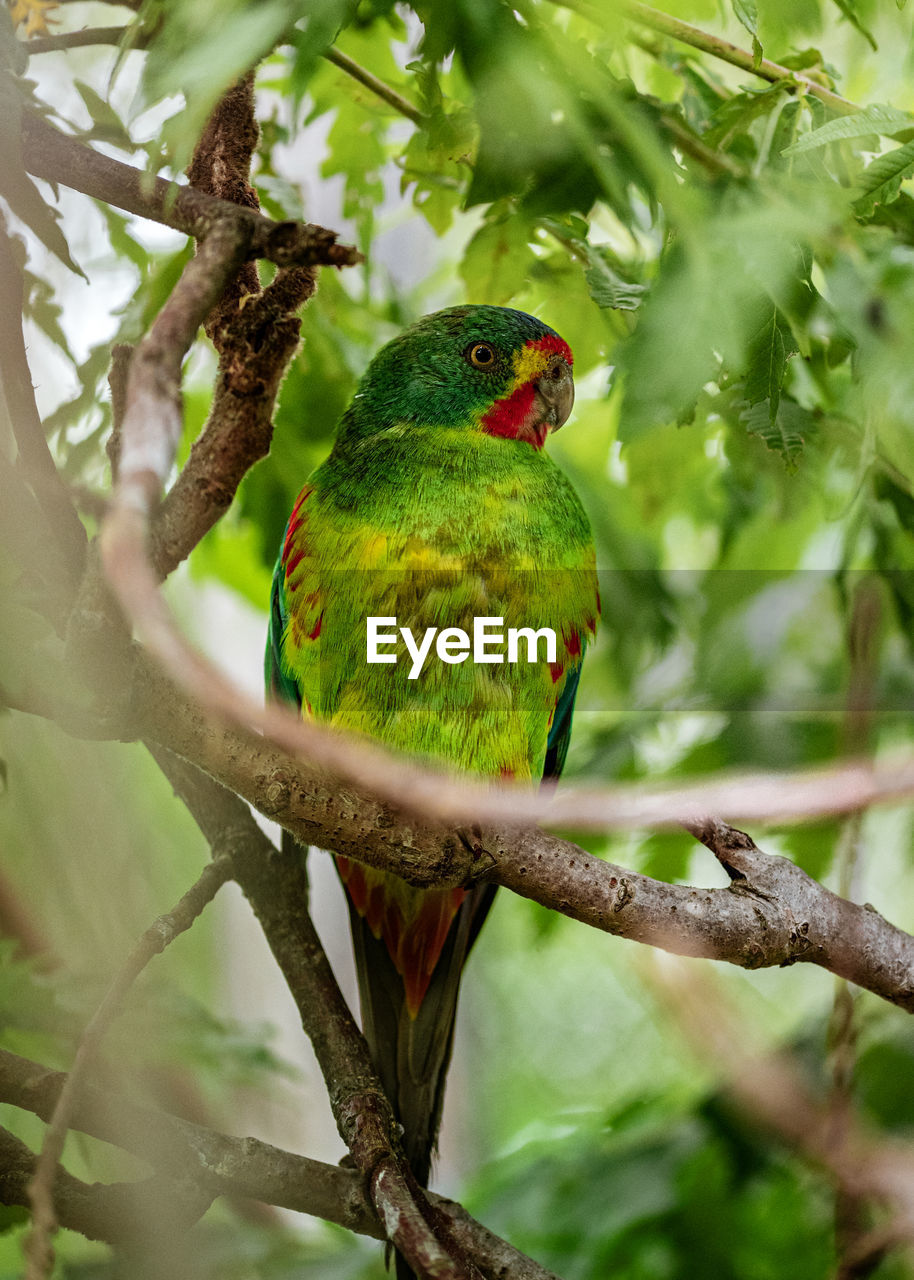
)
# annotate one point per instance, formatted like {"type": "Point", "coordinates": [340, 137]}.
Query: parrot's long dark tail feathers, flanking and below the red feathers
{"type": "Point", "coordinates": [410, 1053]}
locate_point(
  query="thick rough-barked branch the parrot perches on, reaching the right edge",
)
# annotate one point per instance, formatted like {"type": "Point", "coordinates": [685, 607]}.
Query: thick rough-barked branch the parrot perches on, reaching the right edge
{"type": "Point", "coordinates": [773, 915]}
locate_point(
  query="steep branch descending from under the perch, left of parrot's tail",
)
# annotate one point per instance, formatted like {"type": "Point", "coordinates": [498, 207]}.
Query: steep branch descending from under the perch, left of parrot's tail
{"type": "Point", "coordinates": [276, 889]}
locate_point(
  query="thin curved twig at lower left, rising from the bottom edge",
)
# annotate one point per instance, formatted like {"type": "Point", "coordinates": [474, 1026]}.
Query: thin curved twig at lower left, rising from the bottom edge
{"type": "Point", "coordinates": [164, 931]}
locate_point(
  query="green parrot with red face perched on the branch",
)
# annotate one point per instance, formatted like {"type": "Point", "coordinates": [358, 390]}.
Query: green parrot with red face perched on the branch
{"type": "Point", "coordinates": [438, 515]}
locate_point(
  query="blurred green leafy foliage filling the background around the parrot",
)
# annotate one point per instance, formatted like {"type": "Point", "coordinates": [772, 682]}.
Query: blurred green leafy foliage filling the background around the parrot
{"type": "Point", "coordinates": [733, 263]}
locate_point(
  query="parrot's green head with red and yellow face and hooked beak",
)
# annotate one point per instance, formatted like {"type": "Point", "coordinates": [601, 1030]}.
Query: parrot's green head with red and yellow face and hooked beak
{"type": "Point", "coordinates": [476, 369]}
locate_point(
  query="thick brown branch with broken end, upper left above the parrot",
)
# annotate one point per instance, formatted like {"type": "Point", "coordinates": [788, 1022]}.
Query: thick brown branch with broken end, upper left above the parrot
{"type": "Point", "coordinates": [51, 154]}
